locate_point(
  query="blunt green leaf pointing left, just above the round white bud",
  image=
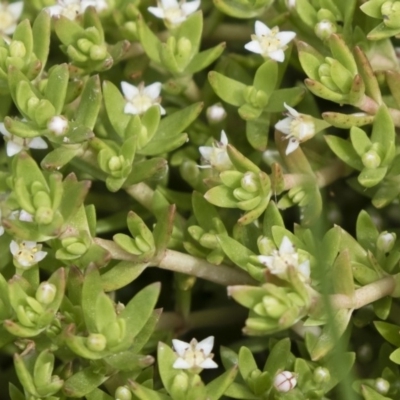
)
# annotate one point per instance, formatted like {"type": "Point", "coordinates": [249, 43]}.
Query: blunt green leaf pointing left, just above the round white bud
{"type": "Point", "coordinates": [229, 90]}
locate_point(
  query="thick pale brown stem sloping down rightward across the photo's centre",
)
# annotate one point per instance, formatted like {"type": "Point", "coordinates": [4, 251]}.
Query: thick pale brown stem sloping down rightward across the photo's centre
{"type": "Point", "coordinates": [185, 263]}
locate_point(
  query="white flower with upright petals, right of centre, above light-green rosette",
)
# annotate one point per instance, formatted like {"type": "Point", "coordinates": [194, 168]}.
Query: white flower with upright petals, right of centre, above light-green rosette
{"type": "Point", "coordinates": [279, 260]}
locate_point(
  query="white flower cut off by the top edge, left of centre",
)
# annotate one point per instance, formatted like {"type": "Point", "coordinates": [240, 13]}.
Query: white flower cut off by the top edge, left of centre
{"type": "Point", "coordinates": [174, 12]}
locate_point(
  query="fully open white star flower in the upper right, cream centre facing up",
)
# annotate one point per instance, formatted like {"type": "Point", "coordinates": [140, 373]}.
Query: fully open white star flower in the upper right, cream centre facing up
{"type": "Point", "coordinates": [270, 43]}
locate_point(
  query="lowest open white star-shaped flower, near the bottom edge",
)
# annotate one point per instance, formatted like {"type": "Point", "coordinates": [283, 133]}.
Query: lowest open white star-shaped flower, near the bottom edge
{"type": "Point", "coordinates": [194, 355]}
